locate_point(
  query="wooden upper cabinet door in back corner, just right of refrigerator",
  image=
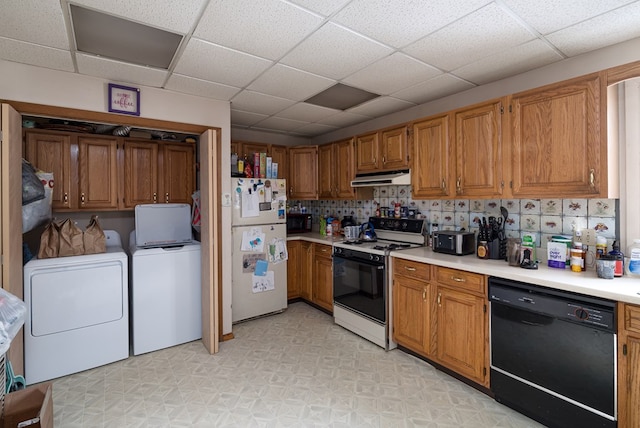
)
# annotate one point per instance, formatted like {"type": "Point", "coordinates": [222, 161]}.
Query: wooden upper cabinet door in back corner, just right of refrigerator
{"type": "Point", "coordinates": [303, 183]}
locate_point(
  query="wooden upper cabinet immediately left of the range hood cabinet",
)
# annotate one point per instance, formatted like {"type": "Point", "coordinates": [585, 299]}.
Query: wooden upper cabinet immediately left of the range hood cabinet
{"type": "Point", "coordinates": [336, 170]}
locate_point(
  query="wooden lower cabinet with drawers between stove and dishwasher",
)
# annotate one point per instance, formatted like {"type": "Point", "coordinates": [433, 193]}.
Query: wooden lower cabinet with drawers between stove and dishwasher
{"type": "Point", "coordinates": [441, 314]}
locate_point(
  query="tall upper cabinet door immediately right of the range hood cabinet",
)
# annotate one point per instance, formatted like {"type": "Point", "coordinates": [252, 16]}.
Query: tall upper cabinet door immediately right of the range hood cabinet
{"type": "Point", "coordinates": [432, 161]}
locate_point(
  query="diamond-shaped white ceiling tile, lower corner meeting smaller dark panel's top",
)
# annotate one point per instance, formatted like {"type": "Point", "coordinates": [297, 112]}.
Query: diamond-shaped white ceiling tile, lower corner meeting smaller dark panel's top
{"type": "Point", "coordinates": [335, 52]}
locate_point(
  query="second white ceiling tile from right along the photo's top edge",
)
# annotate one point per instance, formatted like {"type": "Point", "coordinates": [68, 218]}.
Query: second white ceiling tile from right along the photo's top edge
{"type": "Point", "coordinates": [399, 22]}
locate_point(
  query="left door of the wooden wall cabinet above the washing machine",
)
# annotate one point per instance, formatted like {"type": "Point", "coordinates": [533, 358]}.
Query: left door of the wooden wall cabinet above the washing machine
{"type": "Point", "coordinates": [140, 173]}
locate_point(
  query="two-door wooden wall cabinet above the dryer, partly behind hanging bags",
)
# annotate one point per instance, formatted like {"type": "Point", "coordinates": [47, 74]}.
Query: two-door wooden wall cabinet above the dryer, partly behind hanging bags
{"type": "Point", "coordinates": [85, 168]}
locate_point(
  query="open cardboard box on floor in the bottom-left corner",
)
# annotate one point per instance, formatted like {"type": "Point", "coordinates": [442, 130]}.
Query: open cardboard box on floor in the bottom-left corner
{"type": "Point", "coordinates": [31, 407]}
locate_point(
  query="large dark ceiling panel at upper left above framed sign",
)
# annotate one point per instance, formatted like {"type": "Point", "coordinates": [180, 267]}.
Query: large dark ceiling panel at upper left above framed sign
{"type": "Point", "coordinates": [116, 38]}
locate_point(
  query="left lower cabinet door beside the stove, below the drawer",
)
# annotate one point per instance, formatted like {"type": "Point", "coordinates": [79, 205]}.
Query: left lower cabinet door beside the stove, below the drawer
{"type": "Point", "coordinates": [411, 314]}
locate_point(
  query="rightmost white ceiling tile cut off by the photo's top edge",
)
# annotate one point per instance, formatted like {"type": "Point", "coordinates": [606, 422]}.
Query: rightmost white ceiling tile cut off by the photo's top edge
{"type": "Point", "coordinates": [549, 16]}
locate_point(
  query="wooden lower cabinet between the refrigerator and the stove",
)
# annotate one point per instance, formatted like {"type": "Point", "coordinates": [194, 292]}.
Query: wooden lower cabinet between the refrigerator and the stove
{"type": "Point", "coordinates": [310, 273]}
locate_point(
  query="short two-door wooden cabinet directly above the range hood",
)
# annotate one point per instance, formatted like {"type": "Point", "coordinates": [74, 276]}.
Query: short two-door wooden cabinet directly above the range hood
{"type": "Point", "coordinates": [382, 150]}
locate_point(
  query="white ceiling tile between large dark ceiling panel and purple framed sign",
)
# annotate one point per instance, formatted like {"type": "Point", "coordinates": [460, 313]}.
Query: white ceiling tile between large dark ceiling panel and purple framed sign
{"type": "Point", "coordinates": [120, 71]}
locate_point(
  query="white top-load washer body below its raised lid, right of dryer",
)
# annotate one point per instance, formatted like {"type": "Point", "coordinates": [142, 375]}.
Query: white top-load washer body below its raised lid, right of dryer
{"type": "Point", "coordinates": [166, 296]}
